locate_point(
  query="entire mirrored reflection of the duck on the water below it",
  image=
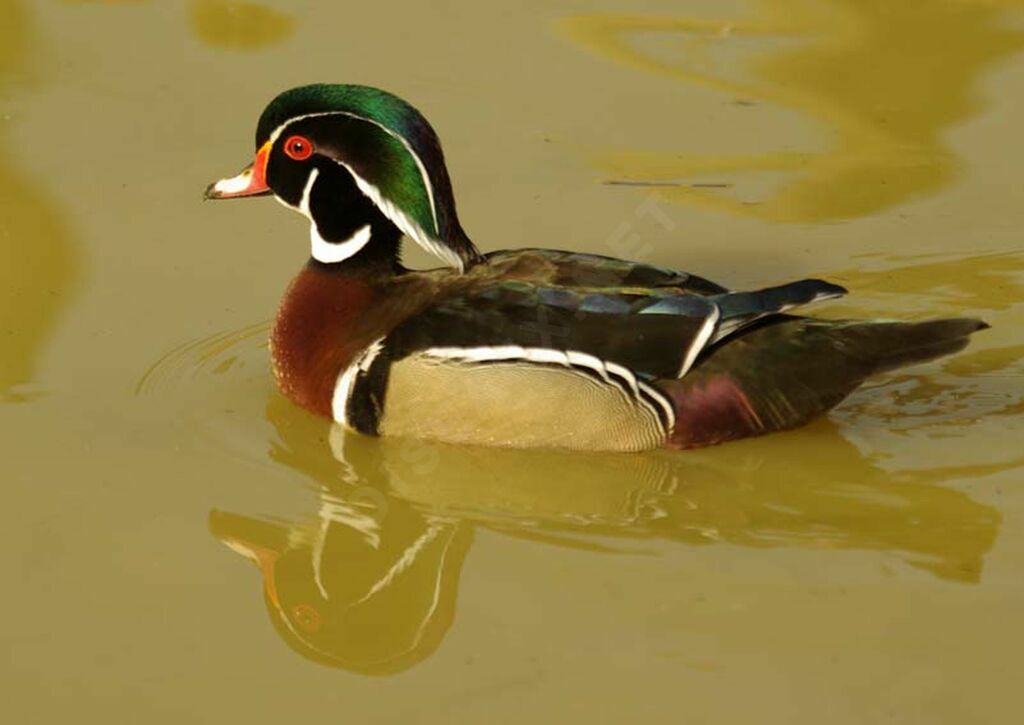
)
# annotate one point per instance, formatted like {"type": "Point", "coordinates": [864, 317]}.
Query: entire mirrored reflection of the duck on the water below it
{"type": "Point", "coordinates": [370, 583]}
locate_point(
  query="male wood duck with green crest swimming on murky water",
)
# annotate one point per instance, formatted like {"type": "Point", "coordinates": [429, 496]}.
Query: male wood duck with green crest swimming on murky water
{"type": "Point", "coordinates": [530, 348]}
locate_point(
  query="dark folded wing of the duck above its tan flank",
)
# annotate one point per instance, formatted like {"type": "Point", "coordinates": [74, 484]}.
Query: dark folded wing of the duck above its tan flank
{"type": "Point", "coordinates": [654, 332]}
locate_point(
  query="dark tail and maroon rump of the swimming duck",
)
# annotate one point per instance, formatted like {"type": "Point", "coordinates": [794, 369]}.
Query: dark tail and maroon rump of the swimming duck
{"type": "Point", "coordinates": [782, 375]}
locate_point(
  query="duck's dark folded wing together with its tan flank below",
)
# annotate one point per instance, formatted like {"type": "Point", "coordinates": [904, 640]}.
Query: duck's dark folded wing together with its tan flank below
{"type": "Point", "coordinates": [524, 364]}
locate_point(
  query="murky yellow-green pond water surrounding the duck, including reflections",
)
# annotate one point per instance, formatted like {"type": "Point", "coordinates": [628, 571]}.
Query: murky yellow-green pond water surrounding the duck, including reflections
{"type": "Point", "coordinates": [182, 545]}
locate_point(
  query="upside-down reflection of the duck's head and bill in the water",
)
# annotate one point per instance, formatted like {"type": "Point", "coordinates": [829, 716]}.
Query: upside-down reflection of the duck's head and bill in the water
{"type": "Point", "coordinates": [353, 594]}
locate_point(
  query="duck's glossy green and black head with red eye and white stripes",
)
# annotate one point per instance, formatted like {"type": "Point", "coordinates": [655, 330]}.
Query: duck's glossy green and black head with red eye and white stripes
{"type": "Point", "coordinates": [363, 165]}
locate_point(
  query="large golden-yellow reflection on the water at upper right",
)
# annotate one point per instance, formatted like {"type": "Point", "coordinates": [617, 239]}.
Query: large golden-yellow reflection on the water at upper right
{"type": "Point", "coordinates": [886, 79]}
